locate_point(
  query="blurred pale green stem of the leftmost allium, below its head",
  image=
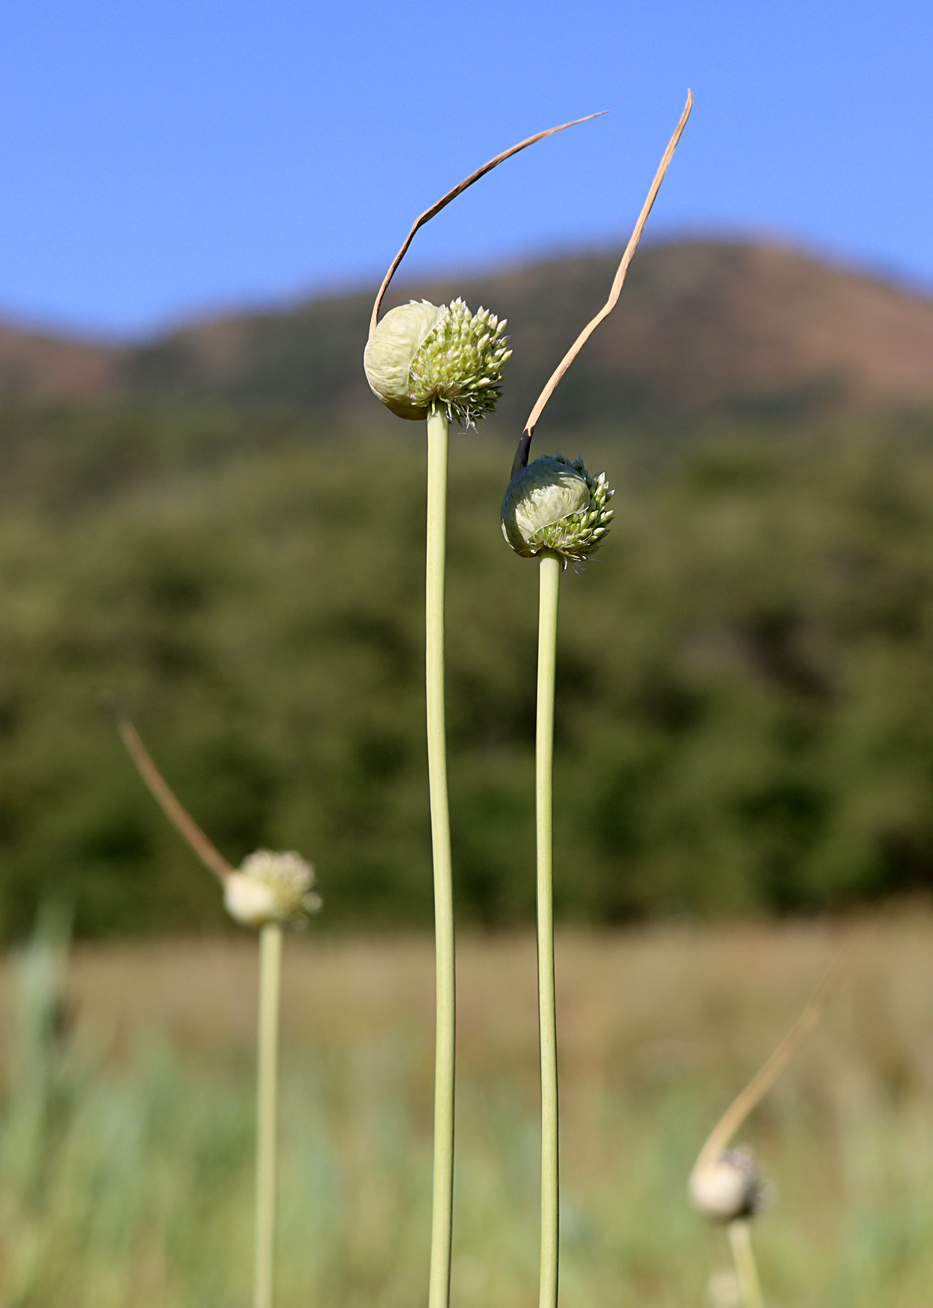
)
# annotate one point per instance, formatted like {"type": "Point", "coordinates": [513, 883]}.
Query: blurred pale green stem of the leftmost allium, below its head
{"type": "Point", "coordinates": [270, 992]}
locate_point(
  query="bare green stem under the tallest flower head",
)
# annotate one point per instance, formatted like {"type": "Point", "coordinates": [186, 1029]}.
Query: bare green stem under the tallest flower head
{"type": "Point", "coordinates": [439, 1293]}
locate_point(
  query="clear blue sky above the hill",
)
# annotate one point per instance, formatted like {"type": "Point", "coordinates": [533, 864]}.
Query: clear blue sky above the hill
{"type": "Point", "coordinates": [163, 160]}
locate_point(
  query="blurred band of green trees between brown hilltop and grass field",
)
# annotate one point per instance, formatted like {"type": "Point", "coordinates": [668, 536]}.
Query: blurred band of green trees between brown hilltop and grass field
{"type": "Point", "coordinates": [744, 673]}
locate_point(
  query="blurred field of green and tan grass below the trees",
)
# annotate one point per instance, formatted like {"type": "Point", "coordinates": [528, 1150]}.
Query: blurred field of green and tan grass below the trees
{"type": "Point", "coordinates": [126, 1144]}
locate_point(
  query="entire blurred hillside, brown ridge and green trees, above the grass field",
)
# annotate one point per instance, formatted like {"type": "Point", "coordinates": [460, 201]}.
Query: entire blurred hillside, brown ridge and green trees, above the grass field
{"type": "Point", "coordinates": [224, 532]}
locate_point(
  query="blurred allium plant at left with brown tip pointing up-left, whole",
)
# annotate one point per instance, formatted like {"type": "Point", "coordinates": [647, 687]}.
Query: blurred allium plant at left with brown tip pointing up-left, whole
{"type": "Point", "coordinates": [268, 893]}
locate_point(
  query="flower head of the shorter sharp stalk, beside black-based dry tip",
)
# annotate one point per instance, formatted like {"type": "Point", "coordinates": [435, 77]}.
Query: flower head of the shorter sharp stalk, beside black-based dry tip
{"type": "Point", "coordinates": [554, 504]}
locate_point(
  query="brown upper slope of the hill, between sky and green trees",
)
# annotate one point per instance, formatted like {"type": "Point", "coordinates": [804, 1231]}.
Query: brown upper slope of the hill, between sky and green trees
{"type": "Point", "coordinates": [706, 332]}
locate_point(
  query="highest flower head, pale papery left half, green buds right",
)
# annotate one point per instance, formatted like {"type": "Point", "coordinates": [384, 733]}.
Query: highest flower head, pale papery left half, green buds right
{"type": "Point", "coordinates": [421, 355]}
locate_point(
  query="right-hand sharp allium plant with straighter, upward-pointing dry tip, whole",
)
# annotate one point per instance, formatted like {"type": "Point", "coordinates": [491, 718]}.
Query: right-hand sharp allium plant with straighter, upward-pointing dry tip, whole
{"type": "Point", "coordinates": [555, 512]}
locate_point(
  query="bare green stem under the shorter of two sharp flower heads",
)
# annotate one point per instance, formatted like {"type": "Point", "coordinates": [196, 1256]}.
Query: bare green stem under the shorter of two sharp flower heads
{"type": "Point", "coordinates": [548, 1016]}
